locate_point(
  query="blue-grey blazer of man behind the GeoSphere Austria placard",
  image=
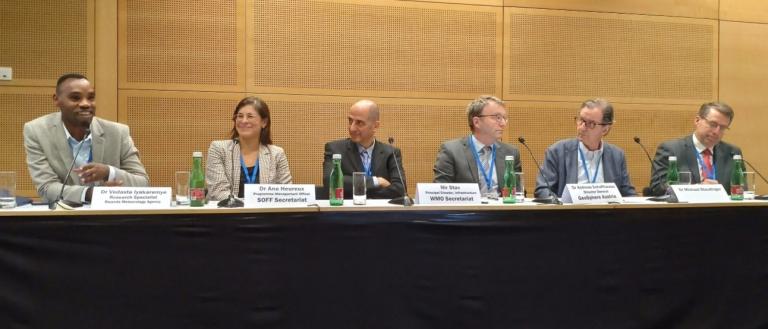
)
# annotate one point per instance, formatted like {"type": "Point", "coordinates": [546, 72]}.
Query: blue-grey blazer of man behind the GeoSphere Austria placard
{"type": "Point", "coordinates": [561, 166]}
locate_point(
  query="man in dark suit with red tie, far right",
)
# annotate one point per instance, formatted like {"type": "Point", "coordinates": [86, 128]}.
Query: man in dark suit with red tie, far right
{"type": "Point", "coordinates": [709, 159]}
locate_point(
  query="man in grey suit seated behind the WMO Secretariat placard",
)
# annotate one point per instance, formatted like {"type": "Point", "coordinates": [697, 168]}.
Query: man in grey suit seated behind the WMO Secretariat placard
{"type": "Point", "coordinates": [479, 157]}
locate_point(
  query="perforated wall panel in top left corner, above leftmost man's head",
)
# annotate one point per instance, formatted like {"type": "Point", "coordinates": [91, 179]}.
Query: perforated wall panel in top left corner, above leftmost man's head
{"type": "Point", "coordinates": [42, 39]}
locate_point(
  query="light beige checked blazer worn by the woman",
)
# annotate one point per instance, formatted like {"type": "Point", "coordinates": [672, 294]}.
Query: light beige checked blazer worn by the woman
{"type": "Point", "coordinates": [273, 168]}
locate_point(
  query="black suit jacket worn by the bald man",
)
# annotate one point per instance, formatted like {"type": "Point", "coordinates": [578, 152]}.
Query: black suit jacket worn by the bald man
{"type": "Point", "coordinates": [382, 163]}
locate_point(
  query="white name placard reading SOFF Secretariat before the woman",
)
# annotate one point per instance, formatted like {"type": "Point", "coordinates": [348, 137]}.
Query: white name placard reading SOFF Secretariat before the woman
{"type": "Point", "coordinates": [270, 195]}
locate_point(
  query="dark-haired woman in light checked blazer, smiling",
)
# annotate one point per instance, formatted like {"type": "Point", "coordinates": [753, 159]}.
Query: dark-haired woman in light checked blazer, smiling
{"type": "Point", "coordinates": [256, 160]}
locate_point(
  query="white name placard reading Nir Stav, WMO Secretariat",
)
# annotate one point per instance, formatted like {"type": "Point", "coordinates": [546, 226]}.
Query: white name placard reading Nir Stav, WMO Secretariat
{"type": "Point", "coordinates": [447, 193]}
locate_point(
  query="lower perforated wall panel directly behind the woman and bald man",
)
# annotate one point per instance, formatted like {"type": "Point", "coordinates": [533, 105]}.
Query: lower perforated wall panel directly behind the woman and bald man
{"type": "Point", "coordinates": [168, 126]}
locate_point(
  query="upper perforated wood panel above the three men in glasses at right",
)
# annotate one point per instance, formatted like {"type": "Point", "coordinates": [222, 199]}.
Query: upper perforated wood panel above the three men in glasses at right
{"type": "Point", "coordinates": [568, 56]}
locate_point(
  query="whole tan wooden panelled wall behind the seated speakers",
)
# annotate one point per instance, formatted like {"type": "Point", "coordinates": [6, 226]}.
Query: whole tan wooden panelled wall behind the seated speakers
{"type": "Point", "coordinates": [174, 70]}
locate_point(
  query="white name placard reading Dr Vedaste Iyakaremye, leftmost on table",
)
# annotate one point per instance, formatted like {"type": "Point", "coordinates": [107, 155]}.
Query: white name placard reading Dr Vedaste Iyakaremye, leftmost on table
{"type": "Point", "coordinates": [131, 197]}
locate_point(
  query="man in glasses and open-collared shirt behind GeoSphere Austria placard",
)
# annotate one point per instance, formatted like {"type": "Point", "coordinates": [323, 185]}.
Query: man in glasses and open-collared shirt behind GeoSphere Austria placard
{"type": "Point", "coordinates": [587, 158]}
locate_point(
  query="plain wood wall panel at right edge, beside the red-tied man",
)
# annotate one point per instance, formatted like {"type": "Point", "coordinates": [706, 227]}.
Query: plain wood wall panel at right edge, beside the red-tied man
{"type": "Point", "coordinates": [743, 85]}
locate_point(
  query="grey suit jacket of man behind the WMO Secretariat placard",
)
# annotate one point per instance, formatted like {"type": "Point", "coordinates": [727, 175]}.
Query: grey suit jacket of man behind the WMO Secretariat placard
{"type": "Point", "coordinates": [456, 163]}
